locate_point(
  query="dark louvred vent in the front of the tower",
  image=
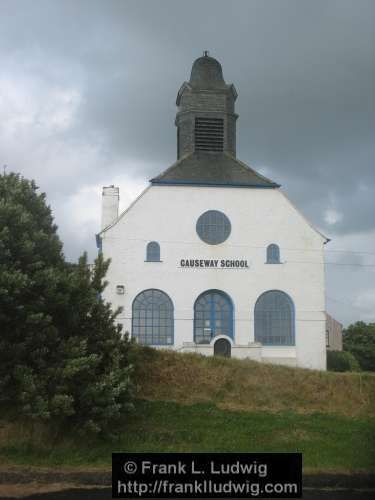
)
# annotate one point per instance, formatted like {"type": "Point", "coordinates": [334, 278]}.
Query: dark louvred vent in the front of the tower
{"type": "Point", "coordinates": [209, 134]}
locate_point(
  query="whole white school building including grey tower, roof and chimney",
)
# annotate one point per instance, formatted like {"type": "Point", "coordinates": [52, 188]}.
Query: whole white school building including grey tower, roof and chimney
{"type": "Point", "coordinates": [212, 257]}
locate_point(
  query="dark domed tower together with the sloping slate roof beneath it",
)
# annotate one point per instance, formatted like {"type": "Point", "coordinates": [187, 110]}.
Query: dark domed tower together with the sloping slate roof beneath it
{"type": "Point", "coordinates": [206, 134]}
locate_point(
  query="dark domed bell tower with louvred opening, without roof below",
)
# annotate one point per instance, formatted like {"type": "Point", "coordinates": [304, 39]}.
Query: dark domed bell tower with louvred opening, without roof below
{"type": "Point", "coordinates": [206, 121]}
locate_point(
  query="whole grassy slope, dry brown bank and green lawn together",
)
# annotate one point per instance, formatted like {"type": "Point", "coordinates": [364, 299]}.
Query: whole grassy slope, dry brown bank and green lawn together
{"type": "Point", "coordinates": [186, 402]}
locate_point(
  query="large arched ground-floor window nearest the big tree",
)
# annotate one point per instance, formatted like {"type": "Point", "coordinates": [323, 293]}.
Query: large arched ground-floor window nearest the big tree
{"type": "Point", "coordinates": [152, 321]}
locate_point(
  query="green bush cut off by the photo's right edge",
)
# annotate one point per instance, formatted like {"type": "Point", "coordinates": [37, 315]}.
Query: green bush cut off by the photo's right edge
{"type": "Point", "coordinates": [359, 339]}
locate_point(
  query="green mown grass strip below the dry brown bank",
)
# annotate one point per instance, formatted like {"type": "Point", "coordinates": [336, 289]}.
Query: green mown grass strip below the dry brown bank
{"type": "Point", "coordinates": [328, 443]}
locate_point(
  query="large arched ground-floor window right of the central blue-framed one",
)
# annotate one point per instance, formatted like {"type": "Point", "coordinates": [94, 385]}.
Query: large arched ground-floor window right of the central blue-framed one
{"type": "Point", "coordinates": [274, 319]}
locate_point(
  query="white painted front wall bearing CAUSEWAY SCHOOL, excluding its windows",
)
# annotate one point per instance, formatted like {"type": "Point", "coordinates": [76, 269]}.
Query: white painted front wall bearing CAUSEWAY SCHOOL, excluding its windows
{"type": "Point", "coordinates": [168, 214]}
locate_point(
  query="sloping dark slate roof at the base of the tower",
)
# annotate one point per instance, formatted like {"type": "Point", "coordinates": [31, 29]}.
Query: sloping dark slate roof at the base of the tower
{"type": "Point", "coordinates": [209, 169]}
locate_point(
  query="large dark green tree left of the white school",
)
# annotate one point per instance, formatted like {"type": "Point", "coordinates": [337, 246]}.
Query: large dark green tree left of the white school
{"type": "Point", "coordinates": [62, 355]}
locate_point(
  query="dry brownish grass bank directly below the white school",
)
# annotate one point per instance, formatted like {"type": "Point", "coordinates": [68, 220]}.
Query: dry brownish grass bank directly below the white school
{"type": "Point", "coordinates": [244, 385]}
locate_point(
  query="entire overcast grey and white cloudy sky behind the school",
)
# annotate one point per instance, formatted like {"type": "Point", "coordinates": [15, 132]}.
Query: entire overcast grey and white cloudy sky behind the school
{"type": "Point", "coordinates": [87, 98]}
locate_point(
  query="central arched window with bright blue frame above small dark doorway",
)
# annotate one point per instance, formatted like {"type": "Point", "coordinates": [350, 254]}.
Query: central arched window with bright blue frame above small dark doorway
{"type": "Point", "coordinates": [213, 315]}
